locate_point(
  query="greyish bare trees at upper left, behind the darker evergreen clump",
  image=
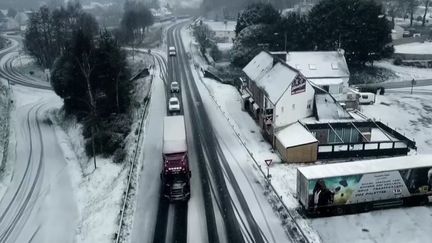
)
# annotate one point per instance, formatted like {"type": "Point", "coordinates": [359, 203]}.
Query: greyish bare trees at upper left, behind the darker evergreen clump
{"type": "Point", "coordinates": [49, 32]}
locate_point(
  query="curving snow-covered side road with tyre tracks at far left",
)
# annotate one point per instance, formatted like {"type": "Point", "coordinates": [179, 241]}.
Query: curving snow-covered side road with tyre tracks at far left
{"type": "Point", "coordinates": [40, 192]}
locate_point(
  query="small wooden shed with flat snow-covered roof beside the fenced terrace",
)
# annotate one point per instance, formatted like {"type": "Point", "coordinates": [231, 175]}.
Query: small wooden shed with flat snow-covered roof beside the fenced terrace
{"type": "Point", "coordinates": [296, 144]}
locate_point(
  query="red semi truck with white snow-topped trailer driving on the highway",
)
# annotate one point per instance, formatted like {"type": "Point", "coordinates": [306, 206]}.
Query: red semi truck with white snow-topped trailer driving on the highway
{"type": "Point", "coordinates": [175, 173]}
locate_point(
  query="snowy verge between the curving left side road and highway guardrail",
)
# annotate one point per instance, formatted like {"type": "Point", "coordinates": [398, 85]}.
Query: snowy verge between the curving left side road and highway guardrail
{"type": "Point", "coordinates": [98, 201]}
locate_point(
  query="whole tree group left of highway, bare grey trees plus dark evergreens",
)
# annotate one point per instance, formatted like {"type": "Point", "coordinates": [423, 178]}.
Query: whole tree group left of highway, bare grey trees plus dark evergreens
{"type": "Point", "coordinates": [88, 70]}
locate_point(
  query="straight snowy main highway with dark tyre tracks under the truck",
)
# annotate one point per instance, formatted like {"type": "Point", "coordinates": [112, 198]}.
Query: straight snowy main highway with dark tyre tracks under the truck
{"type": "Point", "coordinates": [227, 204]}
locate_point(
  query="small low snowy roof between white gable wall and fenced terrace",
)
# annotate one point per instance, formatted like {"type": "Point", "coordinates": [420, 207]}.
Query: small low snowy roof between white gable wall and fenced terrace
{"type": "Point", "coordinates": [329, 109]}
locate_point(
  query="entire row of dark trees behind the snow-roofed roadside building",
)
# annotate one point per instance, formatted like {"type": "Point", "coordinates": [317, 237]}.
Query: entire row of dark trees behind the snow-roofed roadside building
{"type": "Point", "coordinates": [357, 26]}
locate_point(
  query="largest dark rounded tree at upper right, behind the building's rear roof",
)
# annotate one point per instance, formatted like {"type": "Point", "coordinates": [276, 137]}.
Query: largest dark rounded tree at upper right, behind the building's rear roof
{"type": "Point", "coordinates": [357, 26]}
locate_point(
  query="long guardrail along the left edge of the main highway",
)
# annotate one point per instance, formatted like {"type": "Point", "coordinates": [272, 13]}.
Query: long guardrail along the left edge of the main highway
{"type": "Point", "coordinates": [133, 166]}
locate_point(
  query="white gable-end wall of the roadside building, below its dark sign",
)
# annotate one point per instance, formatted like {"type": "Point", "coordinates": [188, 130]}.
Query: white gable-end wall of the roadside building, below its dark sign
{"type": "Point", "coordinates": [292, 107]}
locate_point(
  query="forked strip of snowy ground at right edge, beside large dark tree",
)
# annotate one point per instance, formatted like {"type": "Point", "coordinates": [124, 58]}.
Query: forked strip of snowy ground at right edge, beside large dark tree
{"type": "Point", "coordinates": [403, 72]}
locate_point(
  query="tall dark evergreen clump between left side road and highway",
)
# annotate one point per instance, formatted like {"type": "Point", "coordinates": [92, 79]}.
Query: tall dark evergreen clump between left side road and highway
{"type": "Point", "coordinates": [92, 78]}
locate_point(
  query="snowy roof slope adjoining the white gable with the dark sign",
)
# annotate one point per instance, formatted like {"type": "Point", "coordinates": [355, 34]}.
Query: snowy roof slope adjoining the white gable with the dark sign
{"type": "Point", "coordinates": [276, 81]}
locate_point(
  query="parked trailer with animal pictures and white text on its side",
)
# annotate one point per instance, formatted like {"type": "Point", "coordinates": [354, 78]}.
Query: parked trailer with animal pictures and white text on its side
{"type": "Point", "coordinates": [360, 186]}
